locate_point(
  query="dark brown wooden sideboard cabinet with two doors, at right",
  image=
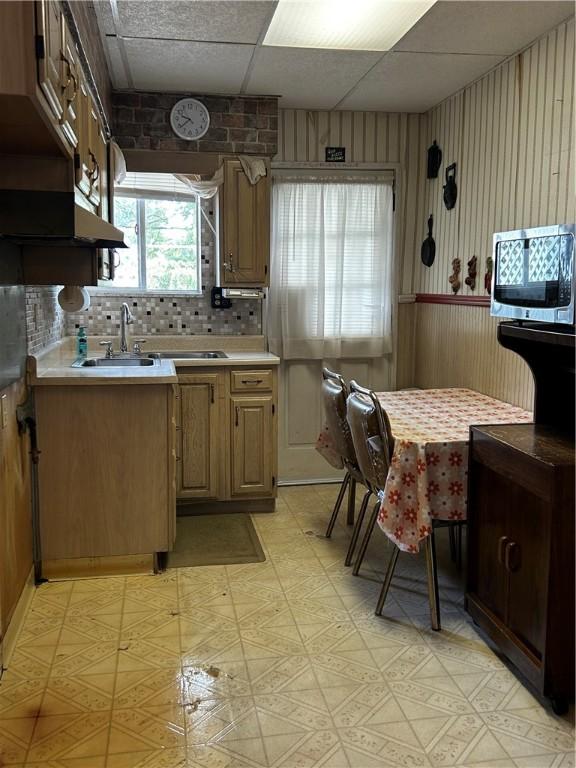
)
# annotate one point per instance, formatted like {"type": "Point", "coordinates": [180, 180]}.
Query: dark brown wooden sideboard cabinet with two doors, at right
{"type": "Point", "coordinates": [521, 550]}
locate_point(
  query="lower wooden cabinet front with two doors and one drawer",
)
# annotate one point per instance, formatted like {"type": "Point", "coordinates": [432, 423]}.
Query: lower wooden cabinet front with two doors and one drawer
{"type": "Point", "coordinates": [227, 445]}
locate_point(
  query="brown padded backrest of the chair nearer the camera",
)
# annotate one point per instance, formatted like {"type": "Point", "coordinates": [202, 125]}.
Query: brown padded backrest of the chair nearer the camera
{"type": "Point", "coordinates": [371, 435]}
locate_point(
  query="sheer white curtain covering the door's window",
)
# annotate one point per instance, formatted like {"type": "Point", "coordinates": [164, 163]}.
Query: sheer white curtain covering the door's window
{"type": "Point", "coordinates": [332, 268]}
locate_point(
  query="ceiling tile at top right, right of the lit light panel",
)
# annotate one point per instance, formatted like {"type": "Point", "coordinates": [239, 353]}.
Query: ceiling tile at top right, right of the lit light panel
{"type": "Point", "coordinates": [484, 27]}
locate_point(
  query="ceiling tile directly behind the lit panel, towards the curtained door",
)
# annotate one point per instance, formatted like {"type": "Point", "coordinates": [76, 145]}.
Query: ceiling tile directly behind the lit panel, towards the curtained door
{"type": "Point", "coordinates": [308, 78]}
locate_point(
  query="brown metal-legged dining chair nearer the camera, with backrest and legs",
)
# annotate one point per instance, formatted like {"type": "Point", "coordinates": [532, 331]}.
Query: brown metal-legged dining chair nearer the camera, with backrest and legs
{"type": "Point", "coordinates": [373, 445]}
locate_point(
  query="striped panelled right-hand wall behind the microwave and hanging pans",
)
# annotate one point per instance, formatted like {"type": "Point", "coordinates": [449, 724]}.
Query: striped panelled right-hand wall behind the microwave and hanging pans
{"type": "Point", "coordinates": [511, 135]}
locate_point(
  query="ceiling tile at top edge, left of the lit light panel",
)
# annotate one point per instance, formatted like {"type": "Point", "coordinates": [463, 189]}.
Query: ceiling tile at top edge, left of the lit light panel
{"type": "Point", "coordinates": [227, 21]}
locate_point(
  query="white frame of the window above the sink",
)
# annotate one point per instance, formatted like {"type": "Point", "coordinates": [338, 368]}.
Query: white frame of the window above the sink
{"type": "Point", "coordinates": [108, 288]}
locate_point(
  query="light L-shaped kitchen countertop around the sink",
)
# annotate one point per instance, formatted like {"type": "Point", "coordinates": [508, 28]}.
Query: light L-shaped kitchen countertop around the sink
{"type": "Point", "coordinates": [52, 366]}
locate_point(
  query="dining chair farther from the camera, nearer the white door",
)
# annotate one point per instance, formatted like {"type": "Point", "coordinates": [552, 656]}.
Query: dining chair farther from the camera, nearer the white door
{"type": "Point", "coordinates": [334, 394]}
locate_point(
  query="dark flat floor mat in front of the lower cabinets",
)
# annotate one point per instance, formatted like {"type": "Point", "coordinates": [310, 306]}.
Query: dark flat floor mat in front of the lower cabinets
{"type": "Point", "coordinates": [215, 540]}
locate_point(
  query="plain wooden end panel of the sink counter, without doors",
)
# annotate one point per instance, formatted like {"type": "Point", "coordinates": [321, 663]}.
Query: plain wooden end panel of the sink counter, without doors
{"type": "Point", "coordinates": [105, 470]}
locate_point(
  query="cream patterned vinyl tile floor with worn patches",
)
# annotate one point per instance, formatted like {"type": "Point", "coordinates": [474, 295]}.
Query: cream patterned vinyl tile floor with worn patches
{"type": "Point", "coordinates": [280, 664]}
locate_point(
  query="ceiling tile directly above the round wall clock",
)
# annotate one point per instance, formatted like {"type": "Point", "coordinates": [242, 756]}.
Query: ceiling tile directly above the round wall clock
{"type": "Point", "coordinates": [195, 67]}
